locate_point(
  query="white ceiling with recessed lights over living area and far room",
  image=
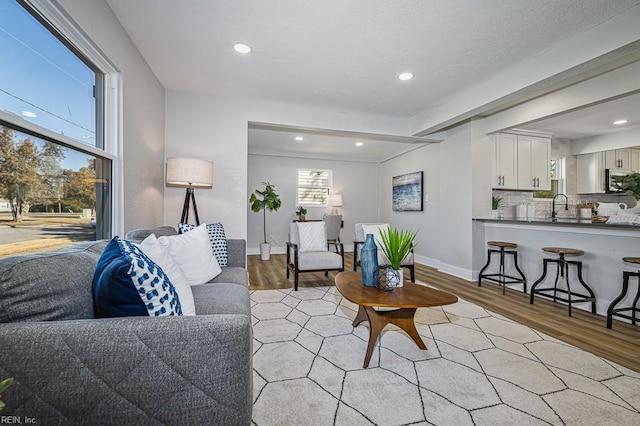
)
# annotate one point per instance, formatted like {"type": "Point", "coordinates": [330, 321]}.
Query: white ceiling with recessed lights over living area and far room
{"type": "Point", "coordinates": [346, 55]}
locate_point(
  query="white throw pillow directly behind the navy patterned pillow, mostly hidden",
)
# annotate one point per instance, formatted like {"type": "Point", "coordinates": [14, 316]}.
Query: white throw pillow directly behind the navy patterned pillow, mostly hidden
{"type": "Point", "coordinates": [159, 255]}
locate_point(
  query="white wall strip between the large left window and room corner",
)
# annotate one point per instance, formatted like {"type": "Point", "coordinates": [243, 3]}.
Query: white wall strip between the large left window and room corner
{"type": "Point", "coordinates": [143, 113]}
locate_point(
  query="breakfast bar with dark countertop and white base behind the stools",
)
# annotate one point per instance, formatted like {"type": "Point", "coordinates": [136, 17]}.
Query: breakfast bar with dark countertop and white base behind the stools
{"type": "Point", "coordinates": [604, 245]}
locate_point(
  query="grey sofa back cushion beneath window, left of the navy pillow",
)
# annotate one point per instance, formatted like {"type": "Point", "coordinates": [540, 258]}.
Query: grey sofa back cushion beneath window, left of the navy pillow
{"type": "Point", "coordinates": [45, 287]}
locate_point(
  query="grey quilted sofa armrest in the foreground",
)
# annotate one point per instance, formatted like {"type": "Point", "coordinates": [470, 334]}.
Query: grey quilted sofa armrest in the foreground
{"type": "Point", "coordinates": [135, 370]}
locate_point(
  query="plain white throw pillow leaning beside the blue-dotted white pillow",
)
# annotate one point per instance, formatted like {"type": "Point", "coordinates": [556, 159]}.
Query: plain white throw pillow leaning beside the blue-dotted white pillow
{"type": "Point", "coordinates": [192, 252]}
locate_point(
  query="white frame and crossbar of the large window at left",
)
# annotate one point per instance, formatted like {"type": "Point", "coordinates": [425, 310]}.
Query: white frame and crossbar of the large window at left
{"type": "Point", "coordinates": [109, 116]}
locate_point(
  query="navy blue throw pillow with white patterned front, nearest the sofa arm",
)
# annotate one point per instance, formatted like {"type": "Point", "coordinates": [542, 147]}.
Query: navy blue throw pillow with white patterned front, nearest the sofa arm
{"type": "Point", "coordinates": [128, 283]}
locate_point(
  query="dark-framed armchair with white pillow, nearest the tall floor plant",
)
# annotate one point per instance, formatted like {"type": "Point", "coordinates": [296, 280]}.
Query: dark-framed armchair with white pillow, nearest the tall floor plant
{"type": "Point", "coordinates": [308, 250]}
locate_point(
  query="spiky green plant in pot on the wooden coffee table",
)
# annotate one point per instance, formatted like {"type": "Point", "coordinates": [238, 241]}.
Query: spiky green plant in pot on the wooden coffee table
{"type": "Point", "coordinates": [396, 244]}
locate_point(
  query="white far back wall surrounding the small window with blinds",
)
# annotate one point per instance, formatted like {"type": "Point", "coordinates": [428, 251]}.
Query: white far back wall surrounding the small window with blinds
{"type": "Point", "coordinates": [357, 182]}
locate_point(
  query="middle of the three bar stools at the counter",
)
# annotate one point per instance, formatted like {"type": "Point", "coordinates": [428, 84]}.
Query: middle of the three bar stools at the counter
{"type": "Point", "coordinates": [562, 270]}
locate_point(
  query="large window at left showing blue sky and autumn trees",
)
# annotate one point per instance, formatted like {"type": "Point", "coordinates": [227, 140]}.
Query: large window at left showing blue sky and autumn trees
{"type": "Point", "coordinates": [55, 166]}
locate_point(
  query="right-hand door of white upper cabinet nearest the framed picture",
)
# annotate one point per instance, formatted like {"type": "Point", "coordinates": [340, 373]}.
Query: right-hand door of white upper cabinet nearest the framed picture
{"type": "Point", "coordinates": [534, 157]}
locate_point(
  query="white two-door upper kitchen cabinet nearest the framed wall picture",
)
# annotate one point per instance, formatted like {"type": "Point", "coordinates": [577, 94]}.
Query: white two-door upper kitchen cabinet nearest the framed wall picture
{"type": "Point", "coordinates": [522, 162]}
